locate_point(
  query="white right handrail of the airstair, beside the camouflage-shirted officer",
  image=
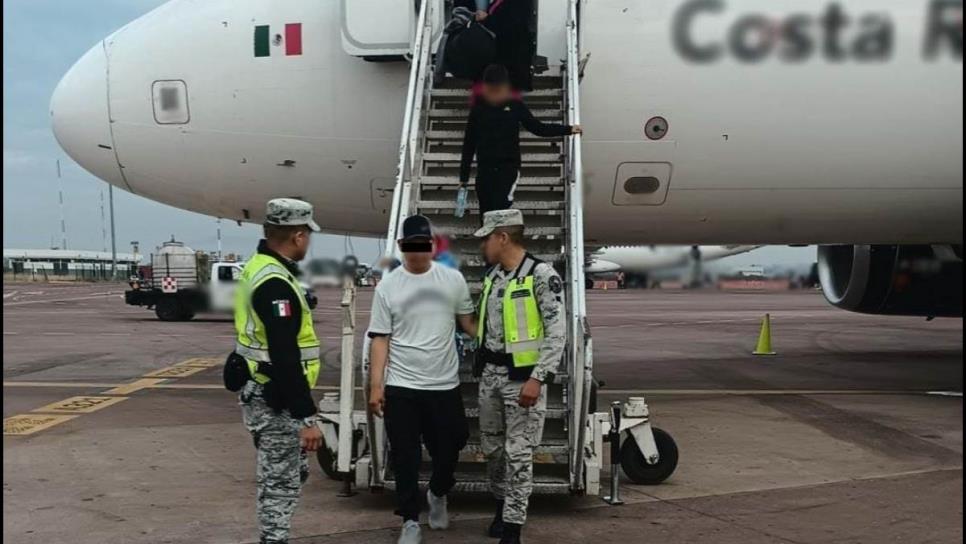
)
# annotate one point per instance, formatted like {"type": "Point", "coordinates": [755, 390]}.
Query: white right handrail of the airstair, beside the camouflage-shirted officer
{"type": "Point", "coordinates": [578, 355]}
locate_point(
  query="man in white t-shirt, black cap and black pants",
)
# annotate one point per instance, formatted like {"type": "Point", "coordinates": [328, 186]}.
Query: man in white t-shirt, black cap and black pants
{"type": "Point", "coordinates": [412, 330]}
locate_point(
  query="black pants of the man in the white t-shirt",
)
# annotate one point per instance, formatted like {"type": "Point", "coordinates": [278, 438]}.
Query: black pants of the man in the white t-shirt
{"type": "Point", "coordinates": [434, 418]}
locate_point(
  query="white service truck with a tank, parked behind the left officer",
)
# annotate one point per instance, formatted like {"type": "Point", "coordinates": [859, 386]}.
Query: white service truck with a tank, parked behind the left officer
{"type": "Point", "coordinates": [185, 283]}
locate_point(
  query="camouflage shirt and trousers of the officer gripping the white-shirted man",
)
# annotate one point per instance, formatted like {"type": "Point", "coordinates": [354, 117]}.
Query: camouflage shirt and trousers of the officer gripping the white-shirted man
{"type": "Point", "coordinates": [509, 432]}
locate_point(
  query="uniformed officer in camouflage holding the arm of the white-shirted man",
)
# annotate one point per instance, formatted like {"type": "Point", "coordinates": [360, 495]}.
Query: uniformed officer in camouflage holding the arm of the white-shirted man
{"type": "Point", "coordinates": [521, 333]}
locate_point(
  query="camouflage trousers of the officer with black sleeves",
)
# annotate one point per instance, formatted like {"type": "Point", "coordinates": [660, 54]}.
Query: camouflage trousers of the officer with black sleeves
{"type": "Point", "coordinates": [281, 465]}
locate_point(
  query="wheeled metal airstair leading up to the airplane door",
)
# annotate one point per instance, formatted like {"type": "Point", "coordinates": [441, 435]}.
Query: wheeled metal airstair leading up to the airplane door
{"type": "Point", "coordinates": [549, 193]}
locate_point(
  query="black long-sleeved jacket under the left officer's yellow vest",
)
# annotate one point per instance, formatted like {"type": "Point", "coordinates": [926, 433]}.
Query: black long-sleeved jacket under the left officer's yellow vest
{"type": "Point", "coordinates": [288, 389]}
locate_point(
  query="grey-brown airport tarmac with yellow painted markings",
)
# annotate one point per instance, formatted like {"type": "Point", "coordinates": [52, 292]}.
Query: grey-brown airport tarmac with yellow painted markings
{"type": "Point", "coordinates": [852, 433]}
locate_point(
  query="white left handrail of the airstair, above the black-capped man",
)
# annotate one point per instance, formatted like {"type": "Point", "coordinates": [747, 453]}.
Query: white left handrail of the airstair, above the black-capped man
{"type": "Point", "coordinates": [411, 119]}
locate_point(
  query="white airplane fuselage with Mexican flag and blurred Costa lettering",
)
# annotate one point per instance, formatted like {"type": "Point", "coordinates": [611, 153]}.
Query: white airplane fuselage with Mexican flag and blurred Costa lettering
{"type": "Point", "coordinates": [824, 144]}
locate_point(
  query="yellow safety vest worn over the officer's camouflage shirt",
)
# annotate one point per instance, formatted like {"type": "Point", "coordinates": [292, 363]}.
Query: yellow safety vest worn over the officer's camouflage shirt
{"type": "Point", "coordinates": [522, 323]}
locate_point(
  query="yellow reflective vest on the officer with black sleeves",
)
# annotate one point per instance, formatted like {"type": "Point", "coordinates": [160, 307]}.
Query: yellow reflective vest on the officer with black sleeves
{"type": "Point", "coordinates": [252, 342]}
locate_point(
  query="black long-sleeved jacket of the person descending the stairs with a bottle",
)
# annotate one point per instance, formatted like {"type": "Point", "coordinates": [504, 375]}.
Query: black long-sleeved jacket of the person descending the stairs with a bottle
{"type": "Point", "coordinates": [493, 133]}
